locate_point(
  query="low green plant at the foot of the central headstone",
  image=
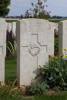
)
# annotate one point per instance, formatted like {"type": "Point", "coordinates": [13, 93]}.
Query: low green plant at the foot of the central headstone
{"type": "Point", "coordinates": [36, 88]}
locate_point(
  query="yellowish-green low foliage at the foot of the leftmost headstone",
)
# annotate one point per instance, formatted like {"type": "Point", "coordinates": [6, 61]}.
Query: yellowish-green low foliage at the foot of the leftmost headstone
{"type": "Point", "coordinates": [9, 90]}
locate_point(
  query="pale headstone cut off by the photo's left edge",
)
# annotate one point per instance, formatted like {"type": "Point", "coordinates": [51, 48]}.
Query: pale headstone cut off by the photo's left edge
{"type": "Point", "coordinates": [2, 50]}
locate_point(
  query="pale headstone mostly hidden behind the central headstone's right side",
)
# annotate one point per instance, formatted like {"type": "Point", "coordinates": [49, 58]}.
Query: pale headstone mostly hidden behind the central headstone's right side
{"type": "Point", "coordinates": [50, 39]}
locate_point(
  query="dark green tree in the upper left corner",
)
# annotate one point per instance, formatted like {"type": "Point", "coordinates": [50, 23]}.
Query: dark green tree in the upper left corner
{"type": "Point", "coordinates": [4, 10]}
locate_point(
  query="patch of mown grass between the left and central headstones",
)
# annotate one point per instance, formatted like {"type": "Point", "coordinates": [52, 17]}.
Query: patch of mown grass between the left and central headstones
{"type": "Point", "coordinates": [10, 70]}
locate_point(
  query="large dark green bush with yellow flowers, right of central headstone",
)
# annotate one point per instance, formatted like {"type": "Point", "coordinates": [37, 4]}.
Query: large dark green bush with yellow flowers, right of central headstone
{"type": "Point", "coordinates": [55, 73]}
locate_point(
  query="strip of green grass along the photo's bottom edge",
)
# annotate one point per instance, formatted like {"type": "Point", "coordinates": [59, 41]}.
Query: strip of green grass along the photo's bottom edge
{"type": "Point", "coordinates": [43, 97]}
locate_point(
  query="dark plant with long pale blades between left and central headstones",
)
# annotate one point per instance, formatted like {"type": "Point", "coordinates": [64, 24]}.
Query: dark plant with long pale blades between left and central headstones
{"type": "Point", "coordinates": [11, 44]}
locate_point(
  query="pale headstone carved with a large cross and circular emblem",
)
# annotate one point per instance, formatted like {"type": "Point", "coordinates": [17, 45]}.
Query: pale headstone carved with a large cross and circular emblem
{"type": "Point", "coordinates": [32, 48]}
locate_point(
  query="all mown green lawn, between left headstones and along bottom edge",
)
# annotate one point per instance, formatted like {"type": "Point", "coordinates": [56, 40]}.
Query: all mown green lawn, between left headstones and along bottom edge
{"type": "Point", "coordinates": [11, 76]}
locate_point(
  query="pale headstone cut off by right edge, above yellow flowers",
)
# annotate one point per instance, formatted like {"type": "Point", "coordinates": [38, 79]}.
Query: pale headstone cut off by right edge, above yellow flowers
{"type": "Point", "coordinates": [63, 38]}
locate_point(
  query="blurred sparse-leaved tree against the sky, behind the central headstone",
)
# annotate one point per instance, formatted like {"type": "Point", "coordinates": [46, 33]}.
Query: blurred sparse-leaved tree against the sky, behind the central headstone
{"type": "Point", "coordinates": [38, 10]}
